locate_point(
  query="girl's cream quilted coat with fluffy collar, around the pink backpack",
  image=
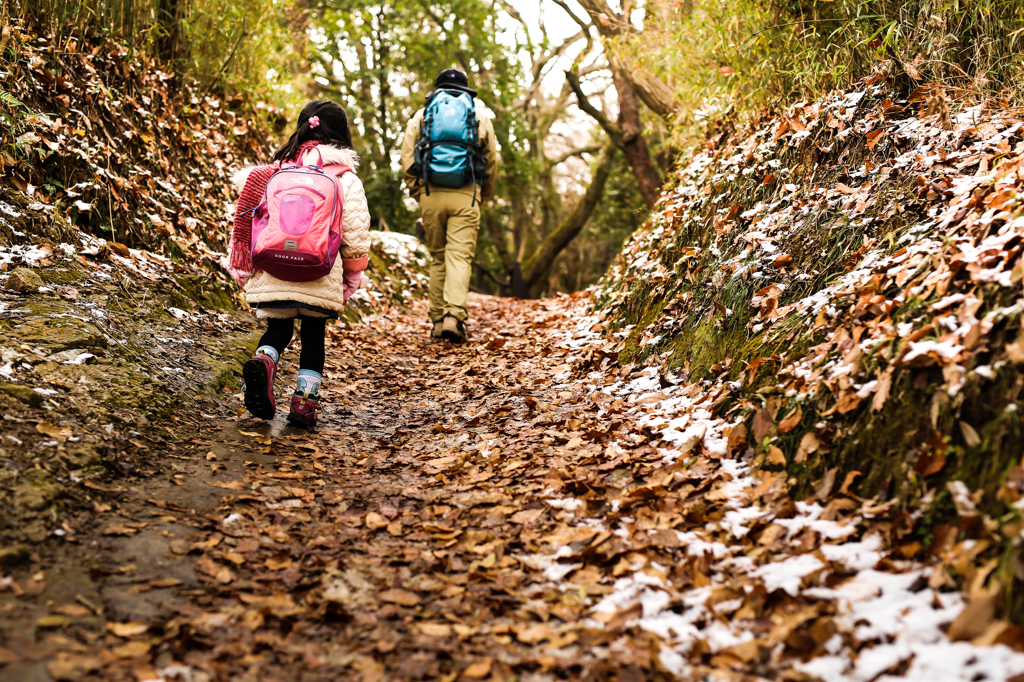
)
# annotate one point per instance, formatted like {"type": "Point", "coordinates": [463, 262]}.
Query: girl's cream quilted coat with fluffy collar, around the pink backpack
{"type": "Point", "coordinates": [327, 292]}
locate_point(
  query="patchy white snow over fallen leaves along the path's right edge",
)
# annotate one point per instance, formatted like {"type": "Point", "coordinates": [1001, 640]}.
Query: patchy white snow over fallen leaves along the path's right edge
{"type": "Point", "coordinates": [885, 614]}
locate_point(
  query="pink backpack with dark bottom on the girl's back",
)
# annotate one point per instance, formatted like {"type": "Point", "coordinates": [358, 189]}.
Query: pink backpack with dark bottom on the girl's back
{"type": "Point", "coordinates": [297, 227]}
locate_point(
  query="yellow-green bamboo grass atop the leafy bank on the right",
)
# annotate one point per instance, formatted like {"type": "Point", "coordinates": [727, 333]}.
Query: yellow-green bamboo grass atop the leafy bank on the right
{"type": "Point", "coordinates": [724, 55]}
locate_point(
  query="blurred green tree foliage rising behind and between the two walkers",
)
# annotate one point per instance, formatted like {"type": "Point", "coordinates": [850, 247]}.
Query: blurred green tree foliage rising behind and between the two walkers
{"type": "Point", "coordinates": [380, 62]}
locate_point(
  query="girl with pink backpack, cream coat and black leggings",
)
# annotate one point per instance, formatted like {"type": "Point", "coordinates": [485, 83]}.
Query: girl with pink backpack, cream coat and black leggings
{"type": "Point", "coordinates": [281, 291]}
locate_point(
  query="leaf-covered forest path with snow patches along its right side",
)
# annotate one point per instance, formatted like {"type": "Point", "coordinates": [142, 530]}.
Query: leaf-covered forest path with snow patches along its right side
{"type": "Point", "coordinates": [516, 508]}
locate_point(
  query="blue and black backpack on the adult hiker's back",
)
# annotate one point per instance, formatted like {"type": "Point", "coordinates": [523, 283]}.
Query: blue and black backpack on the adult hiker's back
{"type": "Point", "coordinates": [448, 152]}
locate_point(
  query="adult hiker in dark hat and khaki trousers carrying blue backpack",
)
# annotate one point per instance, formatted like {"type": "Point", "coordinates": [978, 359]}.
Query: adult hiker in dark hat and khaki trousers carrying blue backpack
{"type": "Point", "coordinates": [450, 160]}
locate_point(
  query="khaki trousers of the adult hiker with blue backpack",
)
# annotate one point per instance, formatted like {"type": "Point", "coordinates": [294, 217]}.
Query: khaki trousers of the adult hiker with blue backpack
{"type": "Point", "coordinates": [451, 224]}
